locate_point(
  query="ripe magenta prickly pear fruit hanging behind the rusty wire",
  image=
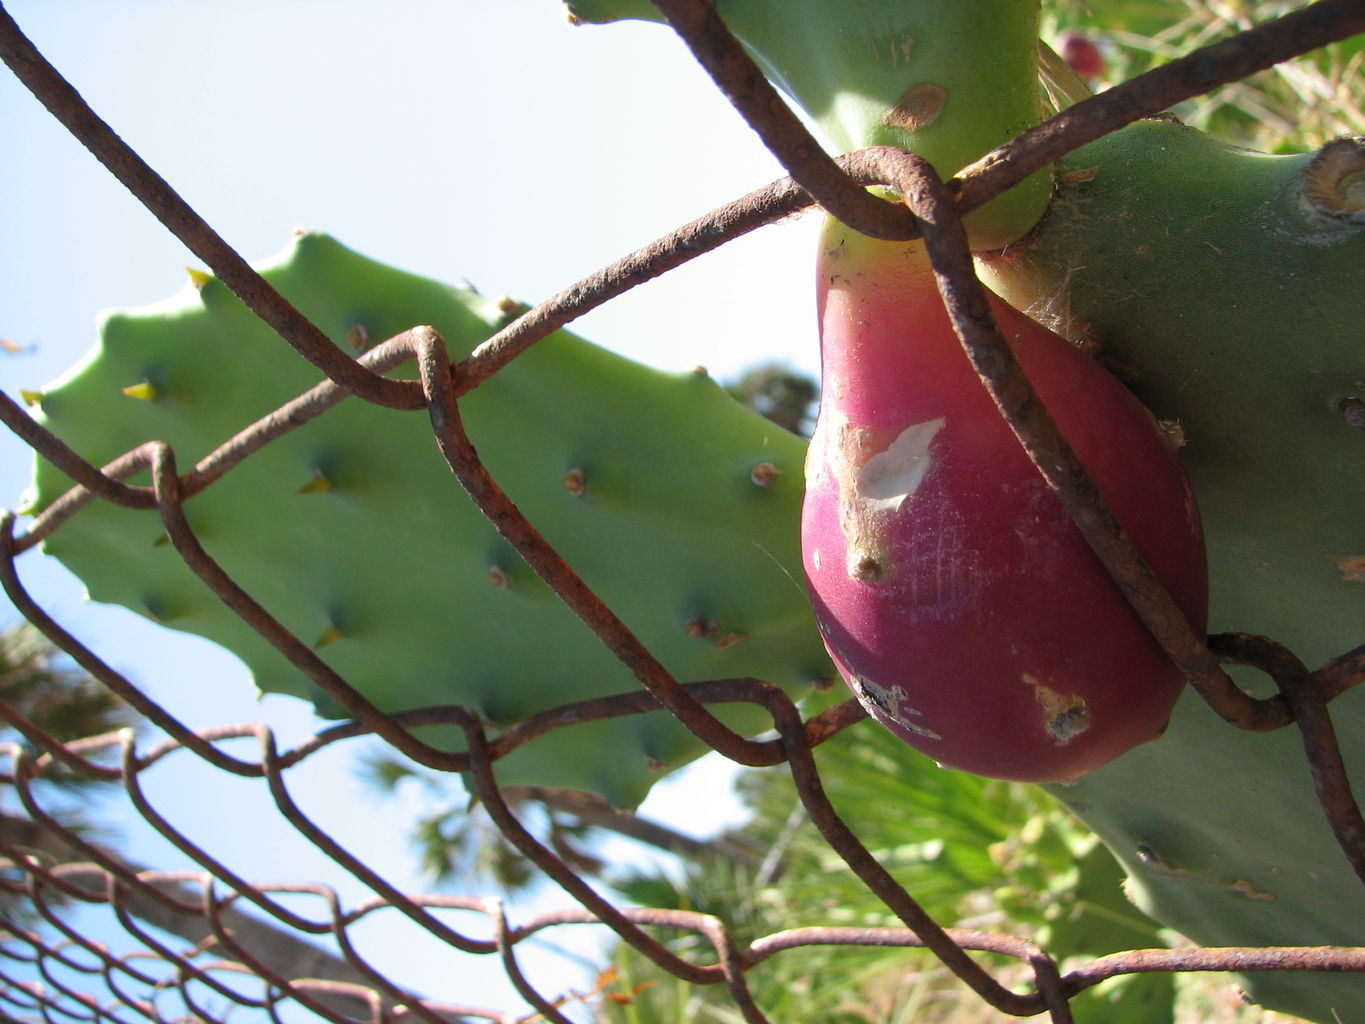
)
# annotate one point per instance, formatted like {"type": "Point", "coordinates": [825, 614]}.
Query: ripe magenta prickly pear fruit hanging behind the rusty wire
{"type": "Point", "coordinates": [958, 599]}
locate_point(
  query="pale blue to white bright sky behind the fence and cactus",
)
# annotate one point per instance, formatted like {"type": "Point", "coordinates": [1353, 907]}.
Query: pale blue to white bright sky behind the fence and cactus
{"type": "Point", "coordinates": [489, 143]}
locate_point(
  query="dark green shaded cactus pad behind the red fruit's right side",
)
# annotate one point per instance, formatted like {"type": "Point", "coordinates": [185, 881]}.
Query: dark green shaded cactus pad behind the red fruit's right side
{"type": "Point", "coordinates": [1229, 289]}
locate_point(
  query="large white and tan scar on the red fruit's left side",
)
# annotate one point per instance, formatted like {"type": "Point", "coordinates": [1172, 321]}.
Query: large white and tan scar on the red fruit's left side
{"type": "Point", "coordinates": [873, 488]}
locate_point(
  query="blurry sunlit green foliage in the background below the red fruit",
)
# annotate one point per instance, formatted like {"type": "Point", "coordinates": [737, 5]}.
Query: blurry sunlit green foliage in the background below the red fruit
{"type": "Point", "coordinates": [973, 851]}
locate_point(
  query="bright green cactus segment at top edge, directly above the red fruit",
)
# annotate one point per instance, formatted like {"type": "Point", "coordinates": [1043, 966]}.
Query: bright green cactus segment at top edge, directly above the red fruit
{"type": "Point", "coordinates": [874, 73]}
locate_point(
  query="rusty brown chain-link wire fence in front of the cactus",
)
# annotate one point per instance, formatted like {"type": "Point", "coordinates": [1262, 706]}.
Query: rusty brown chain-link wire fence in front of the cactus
{"type": "Point", "coordinates": [57, 866]}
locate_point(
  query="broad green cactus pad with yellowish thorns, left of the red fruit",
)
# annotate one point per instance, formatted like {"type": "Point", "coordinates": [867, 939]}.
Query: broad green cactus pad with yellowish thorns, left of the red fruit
{"type": "Point", "coordinates": [672, 500]}
